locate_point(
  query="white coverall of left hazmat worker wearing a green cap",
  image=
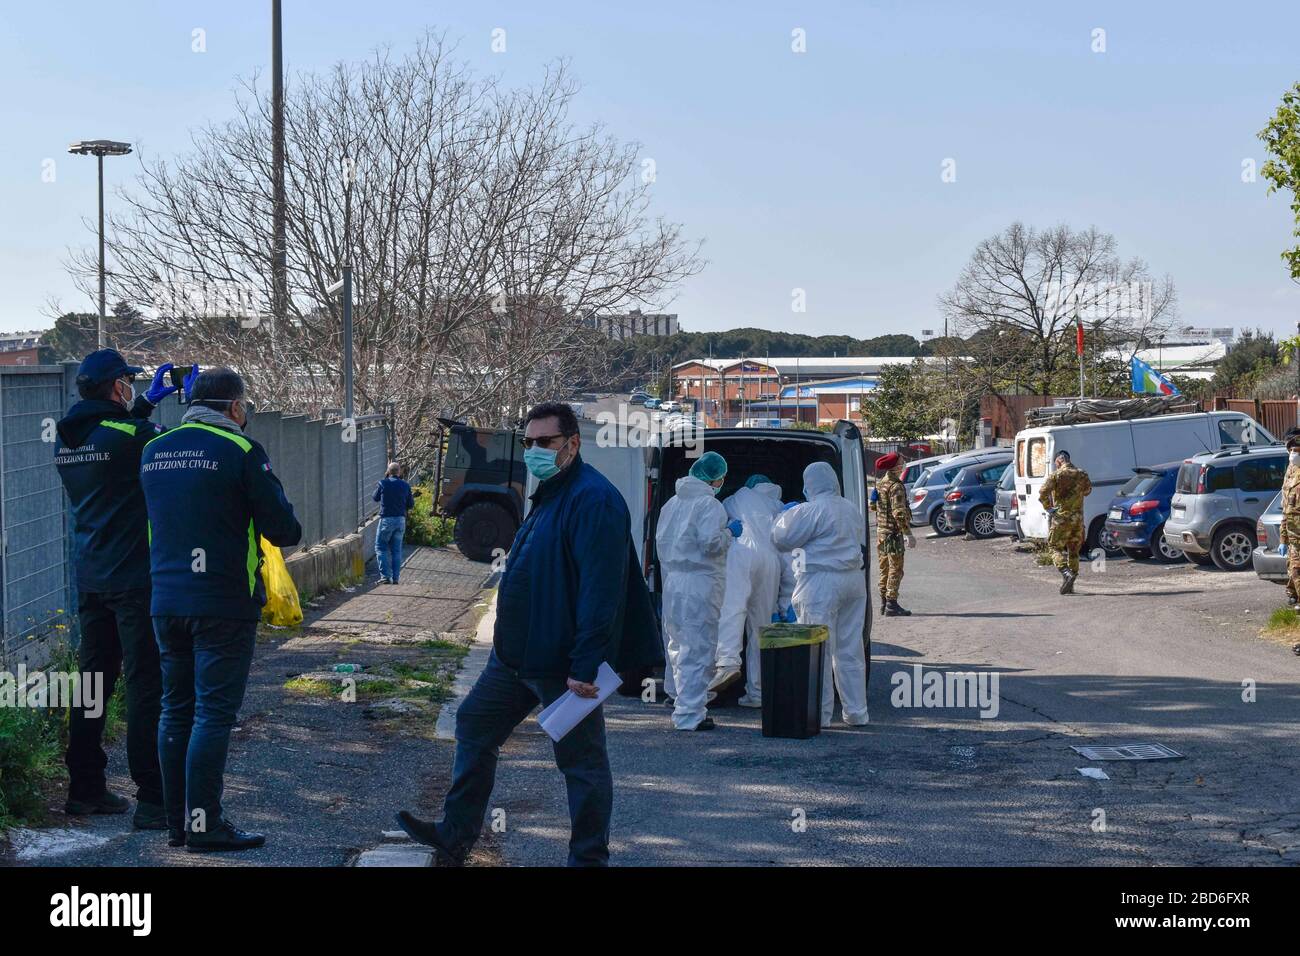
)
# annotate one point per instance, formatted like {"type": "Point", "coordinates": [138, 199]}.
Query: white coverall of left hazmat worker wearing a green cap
{"type": "Point", "coordinates": [692, 540]}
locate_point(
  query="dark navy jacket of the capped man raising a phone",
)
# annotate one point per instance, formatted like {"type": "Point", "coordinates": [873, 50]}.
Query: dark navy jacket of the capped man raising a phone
{"type": "Point", "coordinates": [99, 462]}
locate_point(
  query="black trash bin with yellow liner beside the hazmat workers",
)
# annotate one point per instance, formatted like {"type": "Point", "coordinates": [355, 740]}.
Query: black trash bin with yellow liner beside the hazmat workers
{"type": "Point", "coordinates": [791, 657]}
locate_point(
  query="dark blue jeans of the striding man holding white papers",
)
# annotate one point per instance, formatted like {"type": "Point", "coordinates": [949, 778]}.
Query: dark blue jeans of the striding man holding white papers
{"type": "Point", "coordinates": [499, 703]}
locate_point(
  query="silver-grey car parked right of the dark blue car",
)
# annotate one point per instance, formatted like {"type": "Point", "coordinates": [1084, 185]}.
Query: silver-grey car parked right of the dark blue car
{"type": "Point", "coordinates": [1217, 501]}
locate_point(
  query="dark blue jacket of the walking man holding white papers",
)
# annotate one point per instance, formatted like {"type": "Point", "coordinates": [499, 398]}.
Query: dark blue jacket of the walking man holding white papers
{"type": "Point", "coordinates": [573, 595]}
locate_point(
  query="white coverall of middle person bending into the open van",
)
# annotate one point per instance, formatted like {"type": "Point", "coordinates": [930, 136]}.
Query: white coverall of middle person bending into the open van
{"type": "Point", "coordinates": [753, 579]}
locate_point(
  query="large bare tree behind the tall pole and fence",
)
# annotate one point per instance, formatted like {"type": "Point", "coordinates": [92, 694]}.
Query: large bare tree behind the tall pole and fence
{"type": "Point", "coordinates": [484, 231]}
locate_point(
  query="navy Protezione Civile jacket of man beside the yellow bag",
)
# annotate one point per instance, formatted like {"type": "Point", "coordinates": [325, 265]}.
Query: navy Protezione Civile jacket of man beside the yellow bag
{"type": "Point", "coordinates": [211, 495]}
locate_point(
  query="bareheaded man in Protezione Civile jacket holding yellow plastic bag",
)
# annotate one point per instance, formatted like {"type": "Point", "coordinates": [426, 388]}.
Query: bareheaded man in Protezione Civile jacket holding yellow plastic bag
{"type": "Point", "coordinates": [211, 496]}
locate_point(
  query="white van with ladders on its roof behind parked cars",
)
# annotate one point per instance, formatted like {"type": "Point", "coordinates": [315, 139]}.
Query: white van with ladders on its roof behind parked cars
{"type": "Point", "coordinates": [1111, 451]}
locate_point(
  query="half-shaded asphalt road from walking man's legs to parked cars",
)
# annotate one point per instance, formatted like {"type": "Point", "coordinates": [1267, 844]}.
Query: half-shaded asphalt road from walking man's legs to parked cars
{"type": "Point", "coordinates": [1142, 654]}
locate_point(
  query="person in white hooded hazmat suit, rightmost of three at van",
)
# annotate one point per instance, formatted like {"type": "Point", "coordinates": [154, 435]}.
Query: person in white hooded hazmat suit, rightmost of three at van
{"type": "Point", "coordinates": [826, 535]}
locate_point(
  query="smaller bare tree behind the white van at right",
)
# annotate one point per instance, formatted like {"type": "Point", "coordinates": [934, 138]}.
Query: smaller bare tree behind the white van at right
{"type": "Point", "coordinates": [1024, 291]}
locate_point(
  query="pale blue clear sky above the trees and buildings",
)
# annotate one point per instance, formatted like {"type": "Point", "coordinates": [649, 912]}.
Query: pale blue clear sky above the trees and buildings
{"type": "Point", "coordinates": [818, 171]}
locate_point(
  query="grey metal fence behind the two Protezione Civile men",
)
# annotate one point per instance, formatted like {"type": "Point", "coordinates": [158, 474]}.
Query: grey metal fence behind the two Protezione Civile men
{"type": "Point", "coordinates": [330, 473]}
